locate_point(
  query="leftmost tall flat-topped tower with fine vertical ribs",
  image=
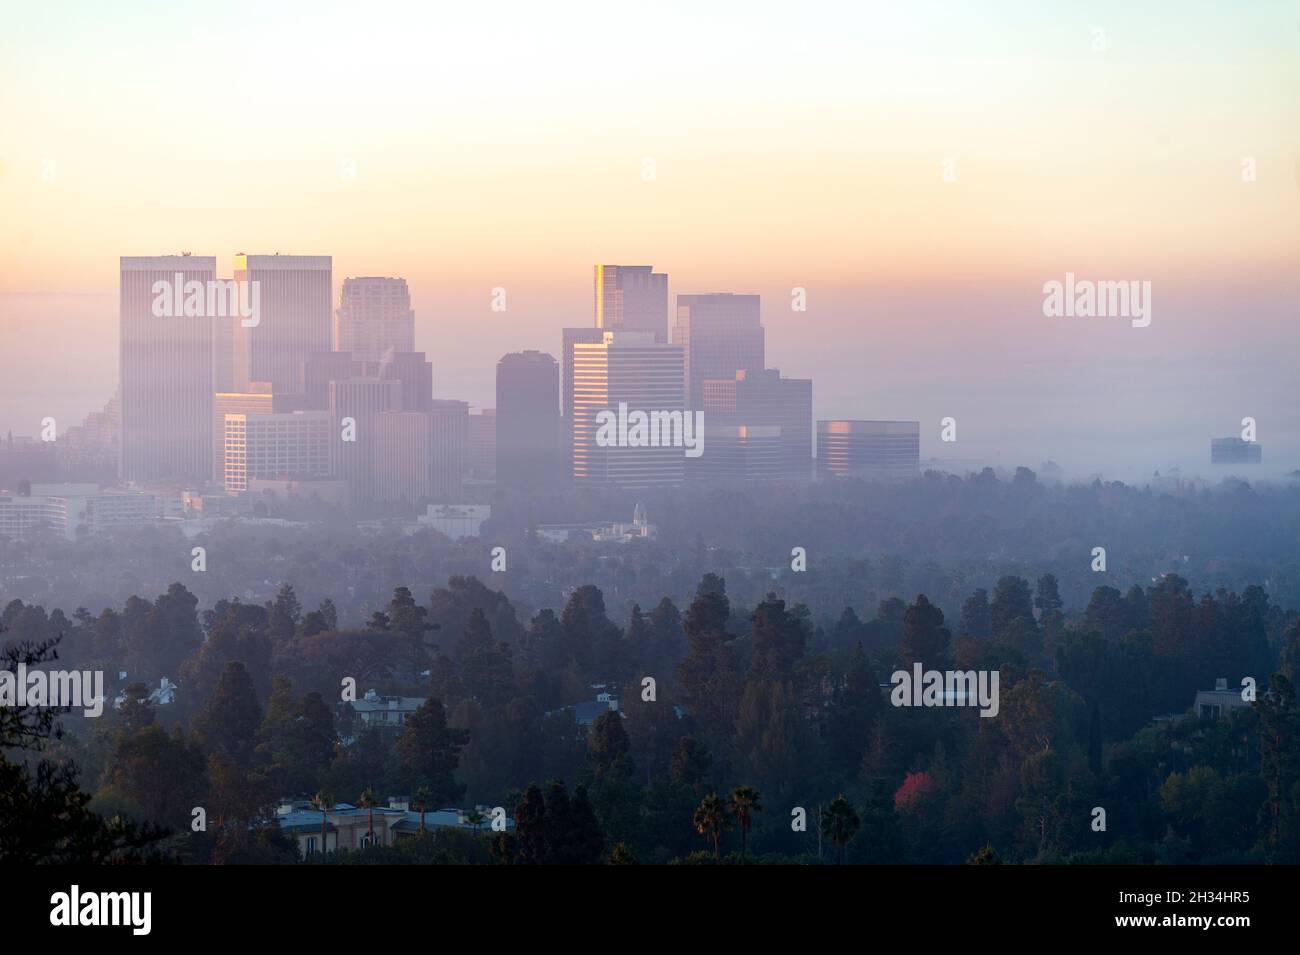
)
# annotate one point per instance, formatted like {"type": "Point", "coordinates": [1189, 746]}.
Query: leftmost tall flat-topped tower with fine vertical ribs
{"type": "Point", "coordinates": [167, 374]}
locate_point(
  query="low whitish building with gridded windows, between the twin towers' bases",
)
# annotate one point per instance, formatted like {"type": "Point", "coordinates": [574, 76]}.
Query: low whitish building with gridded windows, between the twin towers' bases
{"type": "Point", "coordinates": [276, 448]}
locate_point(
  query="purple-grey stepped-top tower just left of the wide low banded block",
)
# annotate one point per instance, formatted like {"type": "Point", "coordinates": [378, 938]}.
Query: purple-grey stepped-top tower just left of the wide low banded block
{"type": "Point", "coordinates": [764, 398]}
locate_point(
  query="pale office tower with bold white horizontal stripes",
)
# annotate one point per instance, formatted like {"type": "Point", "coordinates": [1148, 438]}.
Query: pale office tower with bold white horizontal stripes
{"type": "Point", "coordinates": [626, 368]}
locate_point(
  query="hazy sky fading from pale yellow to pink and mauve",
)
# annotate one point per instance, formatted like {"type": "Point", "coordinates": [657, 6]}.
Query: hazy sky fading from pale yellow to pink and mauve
{"type": "Point", "coordinates": [794, 145]}
